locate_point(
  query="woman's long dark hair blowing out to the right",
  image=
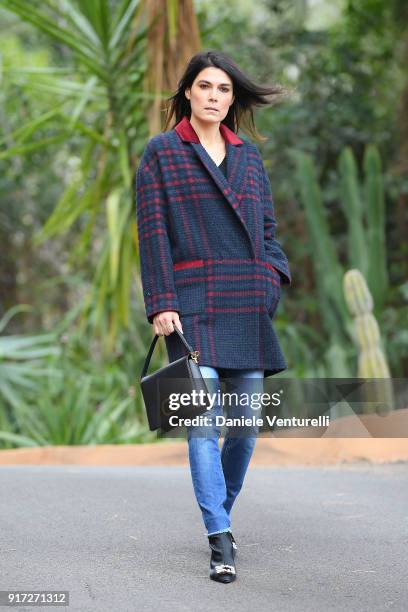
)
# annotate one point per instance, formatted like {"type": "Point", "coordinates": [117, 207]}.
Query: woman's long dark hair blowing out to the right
{"type": "Point", "coordinates": [247, 94]}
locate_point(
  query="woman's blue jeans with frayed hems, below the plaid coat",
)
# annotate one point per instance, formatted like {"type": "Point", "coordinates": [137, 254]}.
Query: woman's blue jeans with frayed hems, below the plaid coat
{"type": "Point", "coordinates": [218, 475]}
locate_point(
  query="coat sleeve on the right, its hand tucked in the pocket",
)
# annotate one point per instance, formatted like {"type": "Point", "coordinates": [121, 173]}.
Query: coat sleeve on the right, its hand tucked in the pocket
{"type": "Point", "coordinates": [273, 249]}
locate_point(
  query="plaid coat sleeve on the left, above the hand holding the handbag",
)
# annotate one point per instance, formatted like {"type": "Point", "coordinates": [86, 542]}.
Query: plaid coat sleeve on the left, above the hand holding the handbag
{"type": "Point", "coordinates": [156, 262]}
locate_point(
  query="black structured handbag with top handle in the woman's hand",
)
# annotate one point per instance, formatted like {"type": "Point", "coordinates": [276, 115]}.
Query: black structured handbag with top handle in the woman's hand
{"type": "Point", "coordinates": [160, 388]}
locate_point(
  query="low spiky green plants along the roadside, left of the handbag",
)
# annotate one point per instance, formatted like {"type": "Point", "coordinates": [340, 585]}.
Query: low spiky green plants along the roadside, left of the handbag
{"type": "Point", "coordinates": [59, 390]}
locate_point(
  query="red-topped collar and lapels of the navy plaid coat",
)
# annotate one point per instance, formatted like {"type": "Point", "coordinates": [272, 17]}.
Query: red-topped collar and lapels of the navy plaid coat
{"type": "Point", "coordinates": [236, 164]}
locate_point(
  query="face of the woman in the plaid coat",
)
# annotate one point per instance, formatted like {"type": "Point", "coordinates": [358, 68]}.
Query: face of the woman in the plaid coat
{"type": "Point", "coordinates": [211, 89]}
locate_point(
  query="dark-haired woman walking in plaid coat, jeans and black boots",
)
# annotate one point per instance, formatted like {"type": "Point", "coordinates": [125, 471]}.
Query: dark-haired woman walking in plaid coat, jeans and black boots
{"type": "Point", "coordinates": [212, 267]}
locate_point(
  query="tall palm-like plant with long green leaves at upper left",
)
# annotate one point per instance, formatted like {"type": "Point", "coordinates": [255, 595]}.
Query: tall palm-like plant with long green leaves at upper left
{"type": "Point", "coordinates": [98, 106]}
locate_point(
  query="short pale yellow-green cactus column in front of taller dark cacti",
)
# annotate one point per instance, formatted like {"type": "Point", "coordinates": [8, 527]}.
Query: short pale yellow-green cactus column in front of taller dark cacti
{"type": "Point", "coordinates": [371, 360]}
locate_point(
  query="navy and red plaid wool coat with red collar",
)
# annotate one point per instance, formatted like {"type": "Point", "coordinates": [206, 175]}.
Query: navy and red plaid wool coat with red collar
{"type": "Point", "coordinates": [208, 250]}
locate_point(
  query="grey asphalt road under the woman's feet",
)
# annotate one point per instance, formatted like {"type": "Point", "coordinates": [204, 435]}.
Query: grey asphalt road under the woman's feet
{"type": "Point", "coordinates": [310, 539]}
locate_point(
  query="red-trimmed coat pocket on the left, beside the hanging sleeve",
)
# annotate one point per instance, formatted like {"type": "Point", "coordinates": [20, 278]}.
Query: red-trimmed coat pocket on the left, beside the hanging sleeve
{"type": "Point", "coordinates": [189, 280]}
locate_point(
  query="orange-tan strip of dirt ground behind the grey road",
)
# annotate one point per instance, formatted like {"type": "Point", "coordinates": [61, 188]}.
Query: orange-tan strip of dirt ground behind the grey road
{"type": "Point", "coordinates": [346, 440]}
